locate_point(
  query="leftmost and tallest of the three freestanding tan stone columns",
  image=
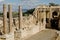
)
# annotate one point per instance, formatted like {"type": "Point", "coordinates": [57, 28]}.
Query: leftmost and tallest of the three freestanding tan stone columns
{"type": "Point", "coordinates": [4, 19]}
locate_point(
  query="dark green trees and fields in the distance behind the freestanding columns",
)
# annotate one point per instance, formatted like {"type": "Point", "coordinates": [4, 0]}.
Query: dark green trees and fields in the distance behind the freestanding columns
{"type": "Point", "coordinates": [15, 14]}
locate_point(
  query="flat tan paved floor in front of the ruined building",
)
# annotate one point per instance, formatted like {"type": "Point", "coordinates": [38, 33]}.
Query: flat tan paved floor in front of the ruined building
{"type": "Point", "coordinates": [44, 35]}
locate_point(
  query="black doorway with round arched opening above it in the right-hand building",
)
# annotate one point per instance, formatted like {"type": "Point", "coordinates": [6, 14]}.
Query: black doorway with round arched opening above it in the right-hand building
{"type": "Point", "coordinates": [54, 21]}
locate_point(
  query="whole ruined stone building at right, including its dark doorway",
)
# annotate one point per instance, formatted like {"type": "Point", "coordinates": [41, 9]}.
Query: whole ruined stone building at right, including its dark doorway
{"type": "Point", "coordinates": [47, 16]}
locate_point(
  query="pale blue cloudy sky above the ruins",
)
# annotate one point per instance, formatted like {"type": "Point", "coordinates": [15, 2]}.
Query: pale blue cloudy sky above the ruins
{"type": "Point", "coordinates": [27, 4]}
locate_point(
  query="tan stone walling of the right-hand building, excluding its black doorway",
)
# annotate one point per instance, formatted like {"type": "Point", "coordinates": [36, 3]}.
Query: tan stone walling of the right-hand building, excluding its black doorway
{"type": "Point", "coordinates": [44, 12]}
